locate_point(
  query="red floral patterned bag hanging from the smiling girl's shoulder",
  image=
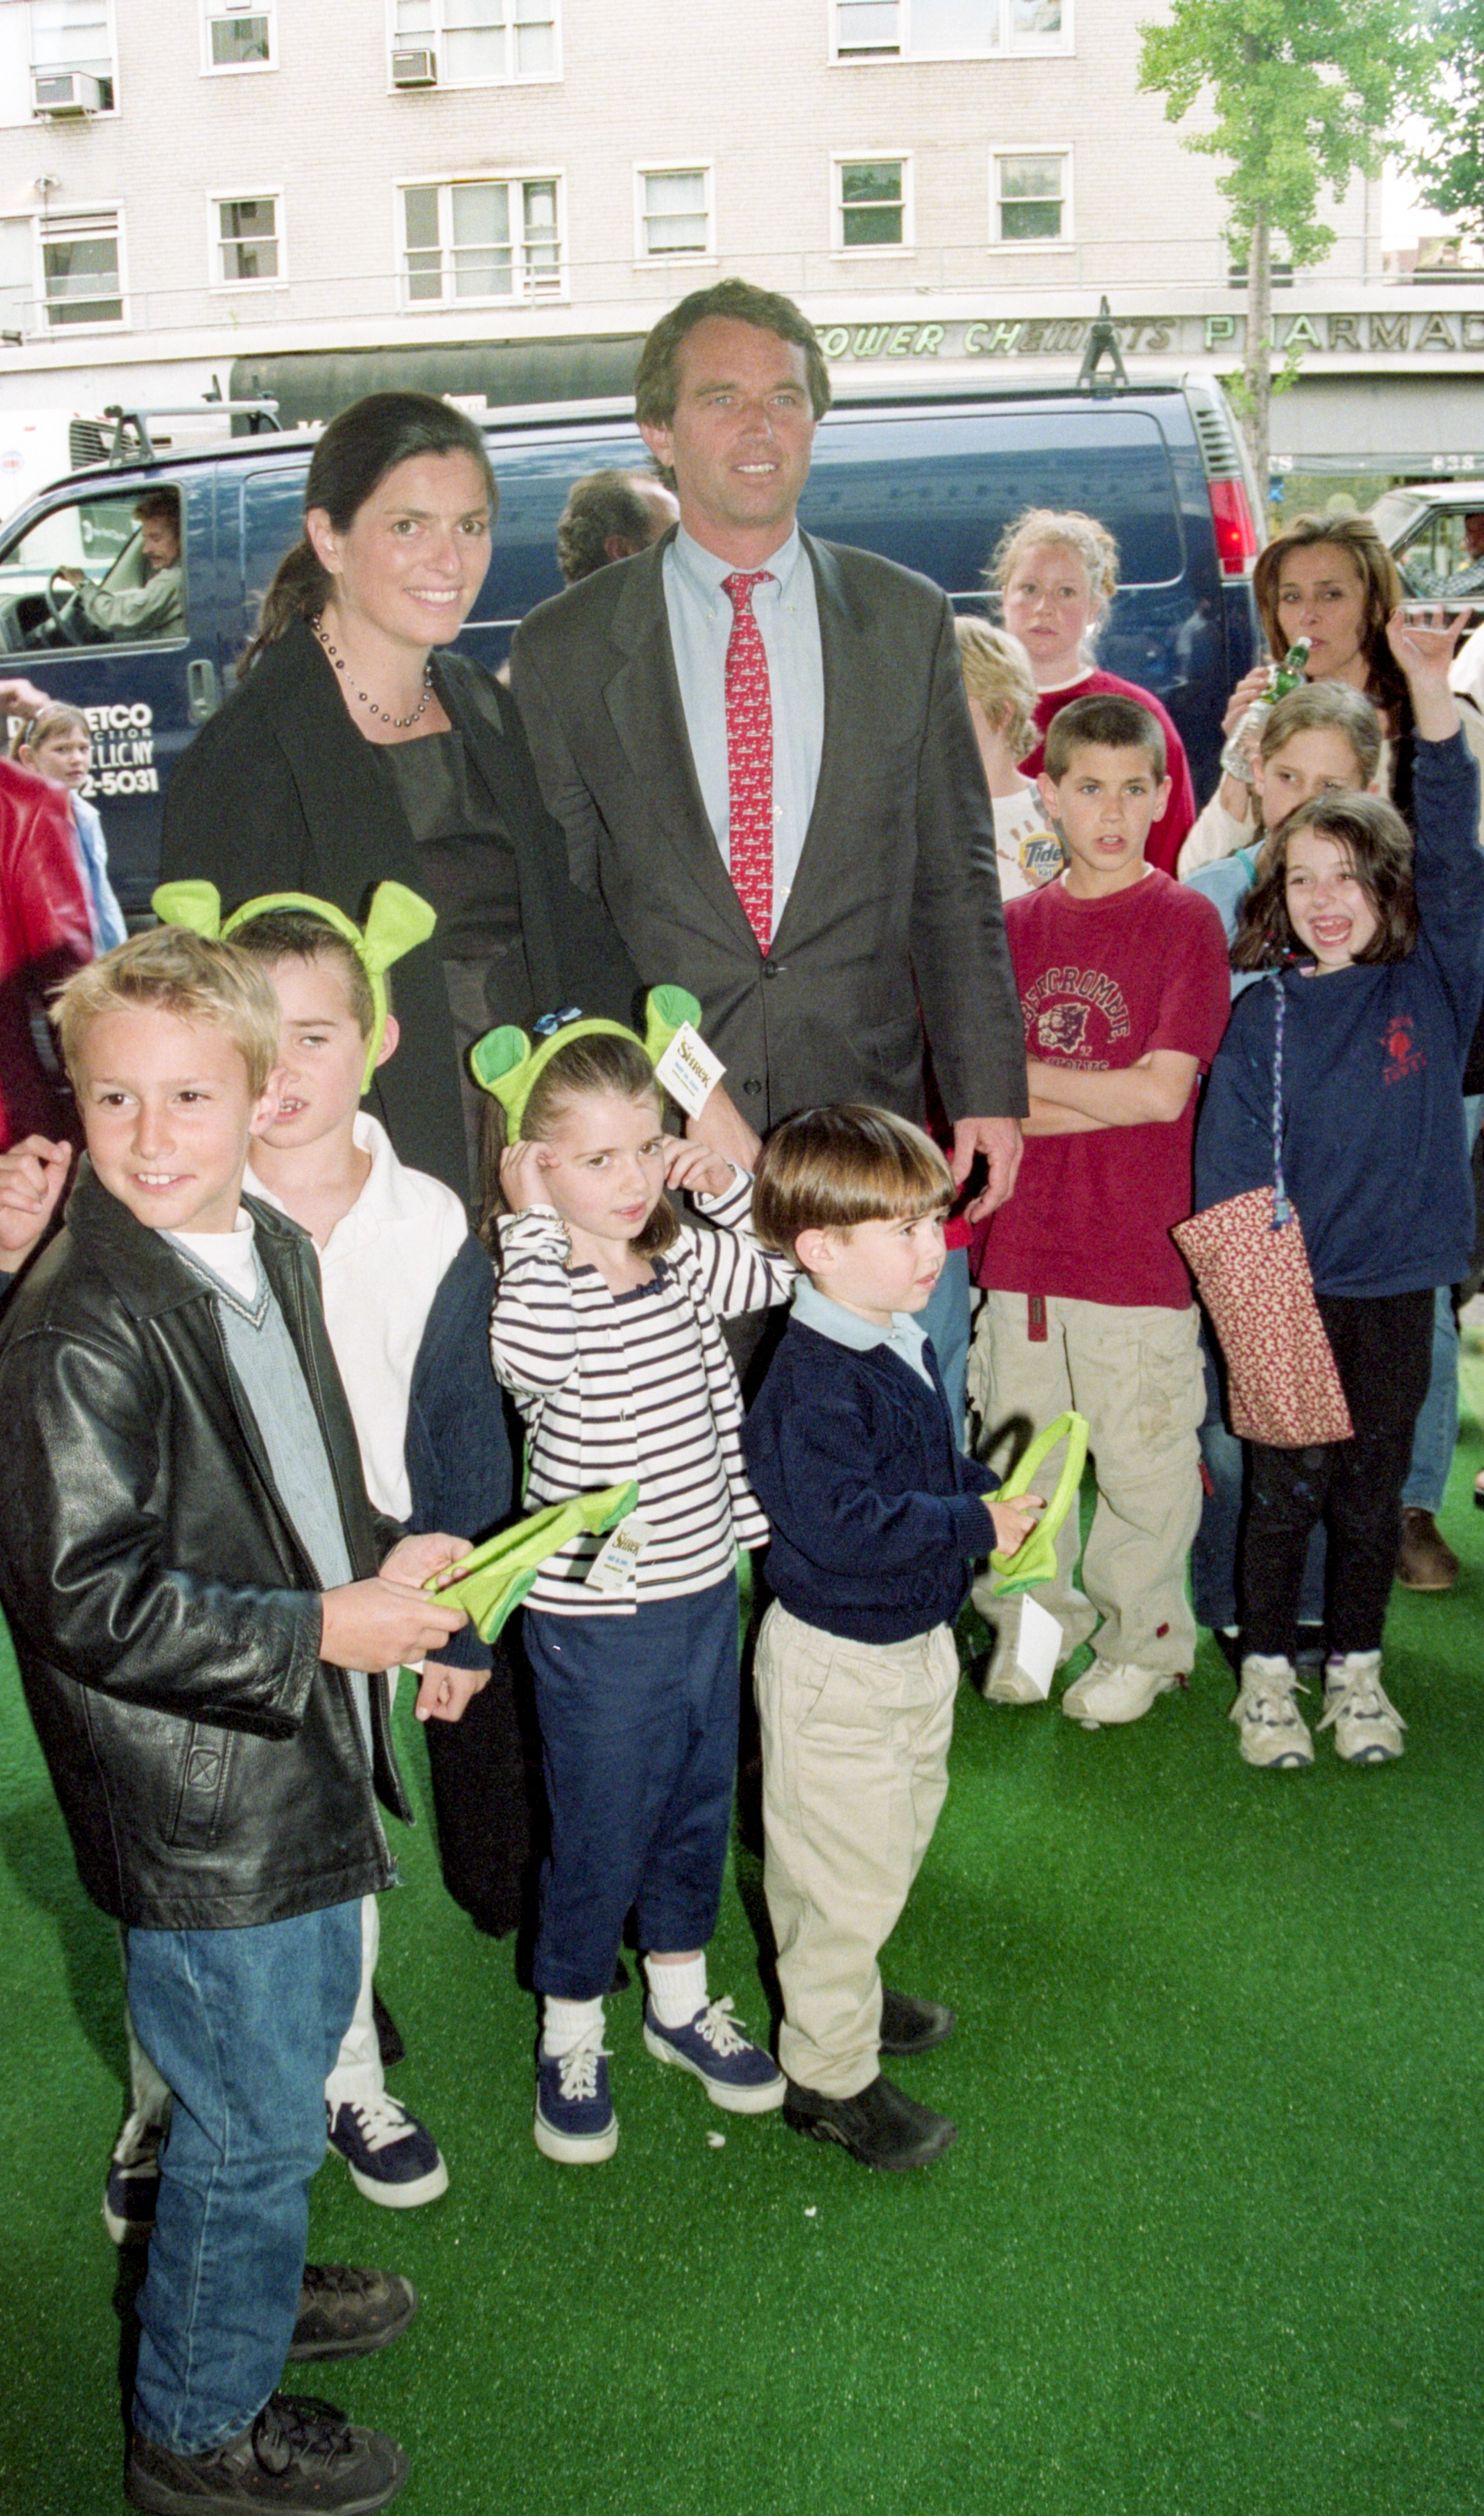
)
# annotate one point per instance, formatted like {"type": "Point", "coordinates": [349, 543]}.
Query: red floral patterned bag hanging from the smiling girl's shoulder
{"type": "Point", "coordinates": [1256, 1284]}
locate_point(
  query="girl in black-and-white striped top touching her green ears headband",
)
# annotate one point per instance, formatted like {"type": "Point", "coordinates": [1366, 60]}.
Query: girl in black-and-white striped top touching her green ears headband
{"type": "Point", "coordinates": [605, 1330]}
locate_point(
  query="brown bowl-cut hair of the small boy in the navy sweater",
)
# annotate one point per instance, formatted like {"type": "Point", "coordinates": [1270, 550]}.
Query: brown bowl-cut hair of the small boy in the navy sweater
{"type": "Point", "coordinates": [826, 1171]}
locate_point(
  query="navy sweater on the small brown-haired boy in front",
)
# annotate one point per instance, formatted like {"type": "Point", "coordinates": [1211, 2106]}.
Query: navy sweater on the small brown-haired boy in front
{"type": "Point", "coordinates": [874, 1508]}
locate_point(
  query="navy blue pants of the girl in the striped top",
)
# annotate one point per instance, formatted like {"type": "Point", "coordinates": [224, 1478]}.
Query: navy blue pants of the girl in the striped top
{"type": "Point", "coordinates": [640, 1750]}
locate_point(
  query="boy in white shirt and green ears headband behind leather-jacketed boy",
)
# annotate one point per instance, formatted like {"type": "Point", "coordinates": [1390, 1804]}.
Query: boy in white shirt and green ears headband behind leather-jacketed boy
{"type": "Point", "coordinates": [399, 1272]}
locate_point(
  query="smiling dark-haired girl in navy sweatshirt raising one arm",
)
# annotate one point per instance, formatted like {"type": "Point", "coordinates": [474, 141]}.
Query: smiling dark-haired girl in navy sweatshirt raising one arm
{"type": "Point", "coordinates": [1377, 975]}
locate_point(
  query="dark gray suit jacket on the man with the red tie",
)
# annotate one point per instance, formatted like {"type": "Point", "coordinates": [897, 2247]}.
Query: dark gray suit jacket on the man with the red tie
{"type": "Point", "coordinates": [894, 920]}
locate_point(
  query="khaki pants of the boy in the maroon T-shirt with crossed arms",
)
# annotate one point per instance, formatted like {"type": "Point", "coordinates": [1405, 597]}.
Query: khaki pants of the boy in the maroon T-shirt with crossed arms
{"type": "Point", "coordinates": [1136, 1375]}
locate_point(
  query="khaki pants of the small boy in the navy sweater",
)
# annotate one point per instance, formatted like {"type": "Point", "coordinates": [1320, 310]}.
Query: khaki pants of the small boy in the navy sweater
{"type": "Point", "coordinates": [854, 1775]}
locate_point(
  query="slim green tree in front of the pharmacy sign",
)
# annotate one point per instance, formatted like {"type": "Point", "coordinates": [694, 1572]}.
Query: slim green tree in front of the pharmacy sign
{"type": "Point", "coordinates": [1302, 94]}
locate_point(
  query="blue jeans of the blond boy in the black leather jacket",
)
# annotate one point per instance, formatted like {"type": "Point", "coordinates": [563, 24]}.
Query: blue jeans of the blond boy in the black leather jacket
{"type": "Point", "coordinates": [245, 2029]}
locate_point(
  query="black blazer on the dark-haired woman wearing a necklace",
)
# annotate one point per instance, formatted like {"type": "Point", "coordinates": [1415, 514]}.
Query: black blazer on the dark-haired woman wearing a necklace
{"type": "Point", "coordinates": [283, 794]}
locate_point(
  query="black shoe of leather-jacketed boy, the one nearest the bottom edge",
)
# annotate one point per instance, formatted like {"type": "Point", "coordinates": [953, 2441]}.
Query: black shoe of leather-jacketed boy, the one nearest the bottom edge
{"type": "Point", "coordinates": [298, 2457]}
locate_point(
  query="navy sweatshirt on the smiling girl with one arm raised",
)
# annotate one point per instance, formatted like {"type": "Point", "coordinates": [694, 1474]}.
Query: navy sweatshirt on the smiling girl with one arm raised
{"type": "Point", "coordinates": [1372, 1076]}
